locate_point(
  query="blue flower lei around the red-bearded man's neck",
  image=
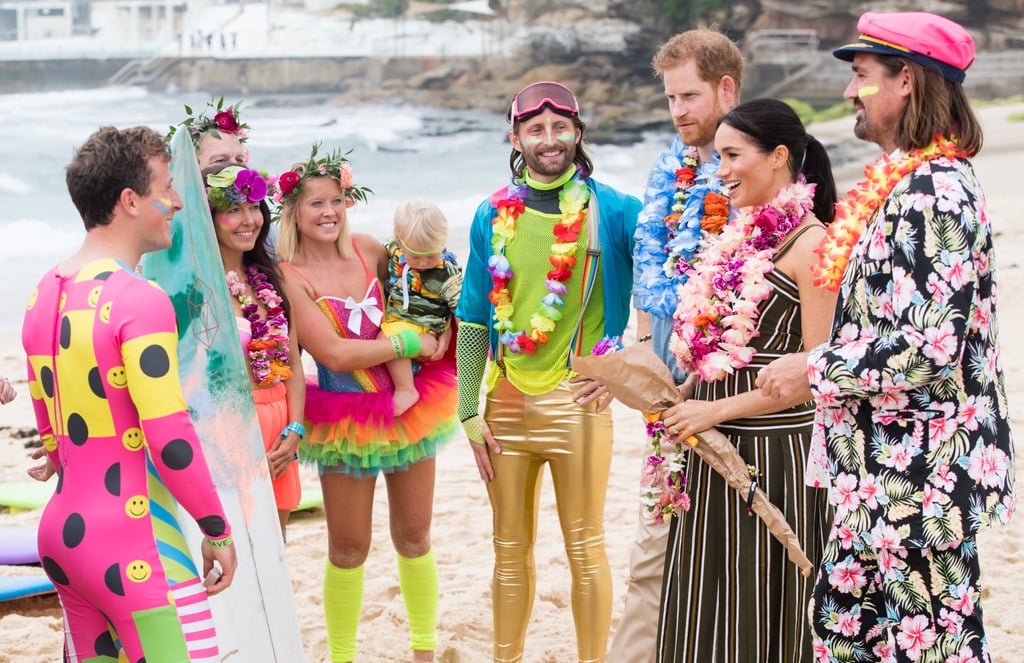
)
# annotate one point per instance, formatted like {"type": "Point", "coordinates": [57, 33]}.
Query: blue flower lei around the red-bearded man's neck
{"type": "Point", "coordinates": [657, 262]}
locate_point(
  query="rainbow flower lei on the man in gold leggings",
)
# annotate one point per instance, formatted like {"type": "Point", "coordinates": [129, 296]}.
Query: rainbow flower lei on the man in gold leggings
{"type": "Point", "coordinates": [509, 203]}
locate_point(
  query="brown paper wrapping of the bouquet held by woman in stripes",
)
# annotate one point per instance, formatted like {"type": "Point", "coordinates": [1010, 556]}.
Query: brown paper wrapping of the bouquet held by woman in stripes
{"type": "Point", "coordinates": [638, 379]}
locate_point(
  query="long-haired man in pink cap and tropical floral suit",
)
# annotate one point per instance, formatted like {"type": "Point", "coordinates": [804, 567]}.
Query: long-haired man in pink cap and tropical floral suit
{"type": "Point", "coordinates": [912, 403]}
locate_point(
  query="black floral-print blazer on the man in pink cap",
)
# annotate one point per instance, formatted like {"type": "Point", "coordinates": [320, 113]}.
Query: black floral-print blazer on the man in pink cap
{"type": "Point", "coordinates": [911, 391]}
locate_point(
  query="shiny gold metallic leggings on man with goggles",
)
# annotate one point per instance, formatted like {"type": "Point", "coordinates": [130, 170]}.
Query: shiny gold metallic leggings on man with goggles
{"type": "Point", "coordinates": [576, 442]}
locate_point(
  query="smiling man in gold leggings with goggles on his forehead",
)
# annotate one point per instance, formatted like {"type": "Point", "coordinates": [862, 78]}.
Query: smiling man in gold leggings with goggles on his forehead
{"type": "Point", "coordinates": [549, 276]}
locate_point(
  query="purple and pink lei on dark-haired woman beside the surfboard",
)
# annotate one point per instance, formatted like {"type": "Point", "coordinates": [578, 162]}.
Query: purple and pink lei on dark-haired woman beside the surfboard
{"type": "Point", "coordinates": [269, 346]}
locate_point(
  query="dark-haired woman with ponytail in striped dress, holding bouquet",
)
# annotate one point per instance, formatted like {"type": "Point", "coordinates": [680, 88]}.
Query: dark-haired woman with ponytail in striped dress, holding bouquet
{"type": "Point", "coordinates": [731, 593]}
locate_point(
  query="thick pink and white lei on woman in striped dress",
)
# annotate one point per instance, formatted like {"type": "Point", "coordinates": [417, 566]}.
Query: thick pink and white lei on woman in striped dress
{"type": "Point", "coordinates": [717, 316]}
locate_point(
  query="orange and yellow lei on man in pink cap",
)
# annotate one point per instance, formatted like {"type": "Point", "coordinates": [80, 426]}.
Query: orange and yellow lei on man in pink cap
{"type": "Point", "coordinates": [854, 213]}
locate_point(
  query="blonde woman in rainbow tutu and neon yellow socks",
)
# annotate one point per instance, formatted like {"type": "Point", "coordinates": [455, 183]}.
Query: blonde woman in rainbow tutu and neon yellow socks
{"type": "Point", "coordinates": [333, 280]}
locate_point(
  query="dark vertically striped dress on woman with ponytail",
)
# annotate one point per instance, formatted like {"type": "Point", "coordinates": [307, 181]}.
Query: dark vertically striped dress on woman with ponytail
{"type": "Point", "coordinates": [731, 595]}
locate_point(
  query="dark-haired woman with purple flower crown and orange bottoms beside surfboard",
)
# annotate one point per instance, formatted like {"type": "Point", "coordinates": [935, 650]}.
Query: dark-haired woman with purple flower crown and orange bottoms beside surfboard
{"type": "Point", "coordinates": [242, 222]}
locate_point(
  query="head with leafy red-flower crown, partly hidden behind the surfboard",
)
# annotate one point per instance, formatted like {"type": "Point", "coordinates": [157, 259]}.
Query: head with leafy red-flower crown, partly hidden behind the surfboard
{"type": "Point", "coordinates": [218, 134]}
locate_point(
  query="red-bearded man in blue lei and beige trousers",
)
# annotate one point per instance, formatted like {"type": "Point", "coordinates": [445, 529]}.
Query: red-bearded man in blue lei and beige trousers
{"type": "Point", "coordinates": [702, 71]}
